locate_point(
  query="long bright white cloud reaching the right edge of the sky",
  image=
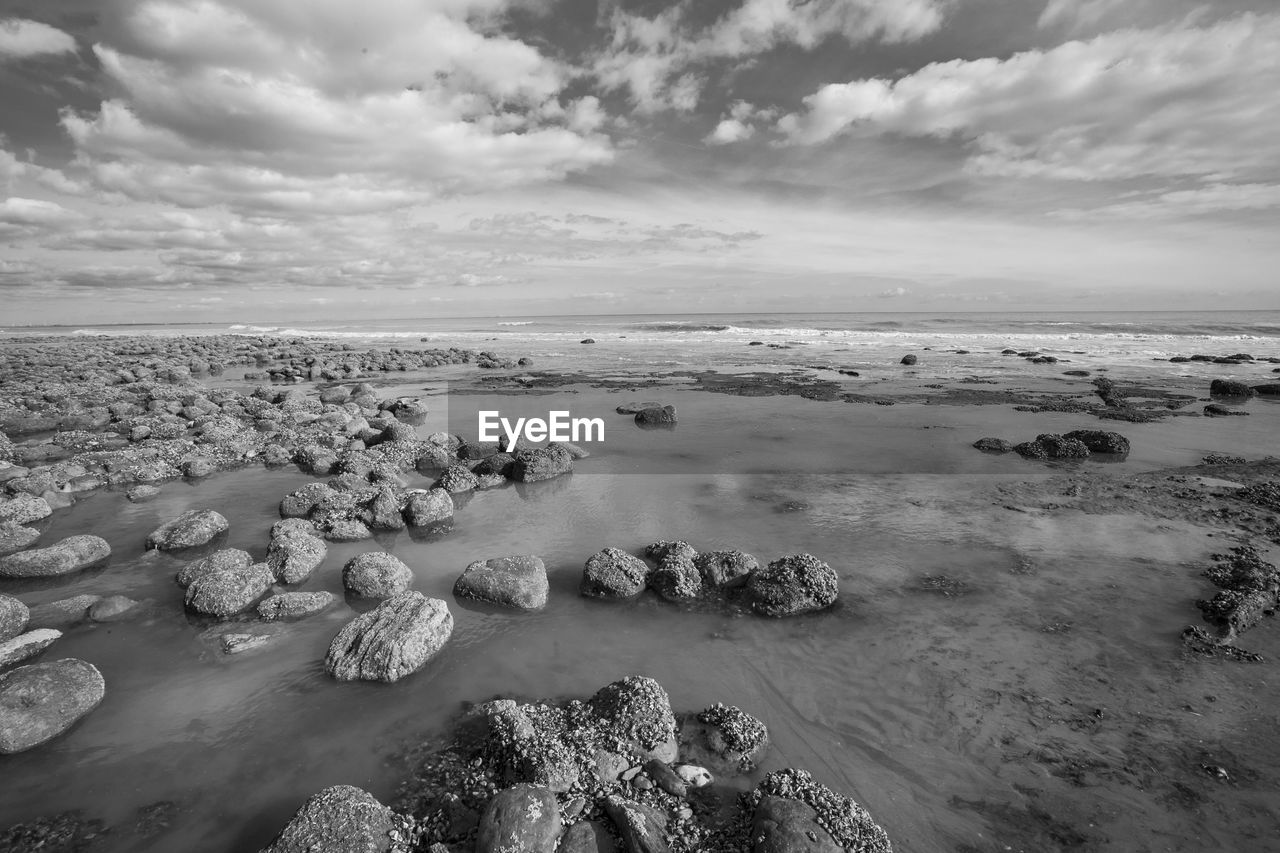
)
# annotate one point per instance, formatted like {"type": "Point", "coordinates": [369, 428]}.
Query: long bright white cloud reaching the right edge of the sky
{"type": "Point", "coordinates": [1181, 101]}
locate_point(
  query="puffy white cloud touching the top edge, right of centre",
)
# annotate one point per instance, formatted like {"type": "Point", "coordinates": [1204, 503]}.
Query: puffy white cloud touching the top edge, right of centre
{"type": "Point", "coordinates": [657, 58]}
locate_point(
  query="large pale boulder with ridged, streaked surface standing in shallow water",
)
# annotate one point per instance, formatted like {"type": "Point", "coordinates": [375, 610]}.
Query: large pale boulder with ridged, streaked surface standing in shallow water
{"type": "Point", "coordinates": [395, 640]}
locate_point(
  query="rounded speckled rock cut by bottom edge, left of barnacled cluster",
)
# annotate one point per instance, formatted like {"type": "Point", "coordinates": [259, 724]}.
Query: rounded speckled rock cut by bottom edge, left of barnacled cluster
{"type": "Point", "coordinates": [341, 819]}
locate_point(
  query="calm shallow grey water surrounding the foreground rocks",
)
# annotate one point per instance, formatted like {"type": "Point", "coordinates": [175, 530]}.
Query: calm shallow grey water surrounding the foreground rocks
{"type": "Point", "coordinates": [962, 722]}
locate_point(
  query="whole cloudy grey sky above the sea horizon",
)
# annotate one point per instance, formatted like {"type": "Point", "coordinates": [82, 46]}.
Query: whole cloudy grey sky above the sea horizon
{"type": "Point", "coordinates": [209, 161]}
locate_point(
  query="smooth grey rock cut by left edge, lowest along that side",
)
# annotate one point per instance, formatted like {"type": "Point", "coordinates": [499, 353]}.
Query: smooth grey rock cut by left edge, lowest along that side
{"type": "Point", "coordinates": [42, 701]}
